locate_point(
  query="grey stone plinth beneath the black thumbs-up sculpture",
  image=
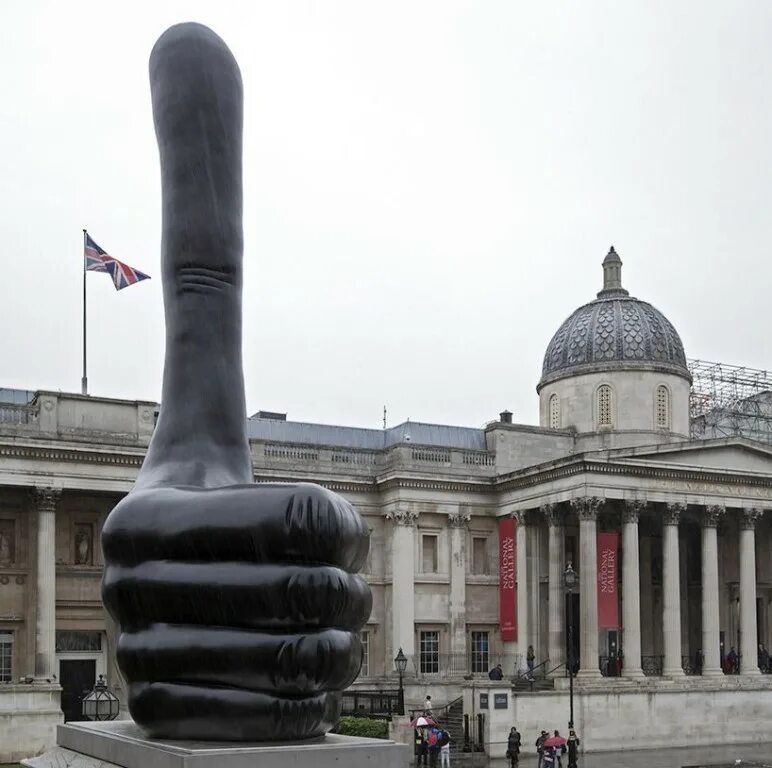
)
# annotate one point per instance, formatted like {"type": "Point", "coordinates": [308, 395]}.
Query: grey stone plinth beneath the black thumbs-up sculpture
{"type": "Point", "coordinates": [122, 744]}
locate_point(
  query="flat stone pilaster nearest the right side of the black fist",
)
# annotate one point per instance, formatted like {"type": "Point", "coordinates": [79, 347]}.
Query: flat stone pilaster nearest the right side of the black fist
{"type": "Point", "coordinates": [403, 579]}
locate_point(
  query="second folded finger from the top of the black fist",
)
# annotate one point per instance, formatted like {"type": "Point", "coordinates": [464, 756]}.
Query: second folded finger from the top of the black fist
{"type": "Point", "coordinates": [271, 597]}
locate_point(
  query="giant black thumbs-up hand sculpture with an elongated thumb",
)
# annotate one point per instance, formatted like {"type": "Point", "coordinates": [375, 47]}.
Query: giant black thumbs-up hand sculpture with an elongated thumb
{"type": "Point", "coordinates": [239, 605]}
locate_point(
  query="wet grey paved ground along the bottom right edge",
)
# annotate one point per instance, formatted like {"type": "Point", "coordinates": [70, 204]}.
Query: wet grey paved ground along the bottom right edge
{"type": "Point", "coordinates": [697, 757]}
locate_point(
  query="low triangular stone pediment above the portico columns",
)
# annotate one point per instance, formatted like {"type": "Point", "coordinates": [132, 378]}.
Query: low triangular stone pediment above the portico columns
{"type": "Point", "coordinates": [732, 455]}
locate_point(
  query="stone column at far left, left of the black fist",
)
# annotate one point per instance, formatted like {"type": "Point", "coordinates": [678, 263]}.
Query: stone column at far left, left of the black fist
{"type": "Point", "coordinates": [45, 500]}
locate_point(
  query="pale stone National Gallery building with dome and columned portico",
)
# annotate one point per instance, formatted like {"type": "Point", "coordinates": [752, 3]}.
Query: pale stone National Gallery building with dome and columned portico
{"type": "Point", "coordinates": [663, 509]}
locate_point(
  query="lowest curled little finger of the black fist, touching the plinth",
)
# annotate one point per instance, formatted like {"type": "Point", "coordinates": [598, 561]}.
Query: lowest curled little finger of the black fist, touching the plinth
{"type": "Point", "coordinates": [177, 711]}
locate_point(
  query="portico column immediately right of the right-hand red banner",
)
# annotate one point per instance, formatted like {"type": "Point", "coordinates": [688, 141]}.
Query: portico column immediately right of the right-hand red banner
{"type": "Point", "coordinates": [631, 589]}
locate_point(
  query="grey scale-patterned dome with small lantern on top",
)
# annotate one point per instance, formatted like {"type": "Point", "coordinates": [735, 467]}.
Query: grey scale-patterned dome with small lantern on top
{"type": "Point", "coordinates": [613, 332]}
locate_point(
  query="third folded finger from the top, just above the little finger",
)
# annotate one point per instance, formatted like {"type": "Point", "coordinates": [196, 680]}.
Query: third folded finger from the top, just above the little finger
{"type": "Point", "coordinates": [281, 664]}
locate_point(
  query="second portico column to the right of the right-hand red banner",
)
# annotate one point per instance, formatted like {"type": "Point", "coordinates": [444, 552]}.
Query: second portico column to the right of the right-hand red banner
{"type": "Point", "coordinates": [671, 592]}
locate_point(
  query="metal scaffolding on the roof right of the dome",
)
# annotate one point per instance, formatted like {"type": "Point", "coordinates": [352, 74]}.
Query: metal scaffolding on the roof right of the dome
{"type": "Point", "coordinates": [730, 401]}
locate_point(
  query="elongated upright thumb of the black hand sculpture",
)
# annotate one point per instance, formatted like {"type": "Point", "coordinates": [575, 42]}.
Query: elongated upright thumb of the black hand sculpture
{"type": "Point", "coordinates": [196, 90]}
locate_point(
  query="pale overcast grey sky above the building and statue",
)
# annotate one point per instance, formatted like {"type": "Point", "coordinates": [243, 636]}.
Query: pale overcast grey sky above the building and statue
{"type": "Point", "coordinates": [429, 191]}
